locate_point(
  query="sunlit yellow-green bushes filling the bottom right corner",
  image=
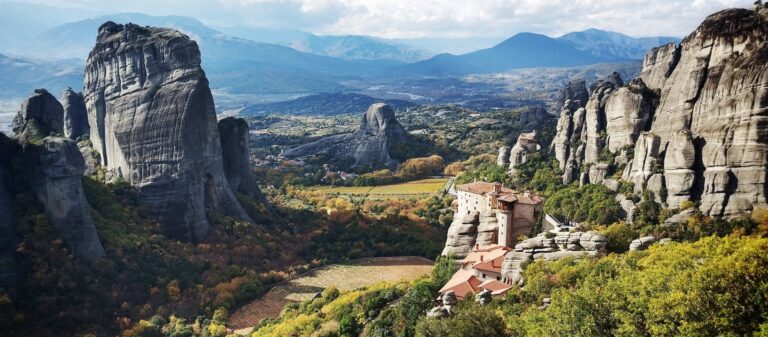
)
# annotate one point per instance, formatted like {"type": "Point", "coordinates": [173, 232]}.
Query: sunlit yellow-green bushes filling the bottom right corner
{"type": "Point", "coordinates": [712, 287]}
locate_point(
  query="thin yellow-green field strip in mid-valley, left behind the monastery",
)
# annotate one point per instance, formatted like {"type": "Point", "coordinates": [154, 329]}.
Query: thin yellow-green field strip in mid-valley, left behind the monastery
{"type": "Point", "coordinates": [417, 187]}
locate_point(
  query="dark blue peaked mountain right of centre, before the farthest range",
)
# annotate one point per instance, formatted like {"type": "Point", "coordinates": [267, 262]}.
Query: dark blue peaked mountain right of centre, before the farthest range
{"type": "Point", "coordinates": [523, 50]}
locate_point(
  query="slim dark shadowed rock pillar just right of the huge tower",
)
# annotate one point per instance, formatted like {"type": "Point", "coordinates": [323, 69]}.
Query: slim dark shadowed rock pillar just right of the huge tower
{"type": "Point", "coordinates": [234, 145]}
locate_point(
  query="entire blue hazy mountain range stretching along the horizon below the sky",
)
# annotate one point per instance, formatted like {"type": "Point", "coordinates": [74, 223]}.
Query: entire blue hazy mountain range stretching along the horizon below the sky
{"type": "Point", "coordinates": [315, 64]}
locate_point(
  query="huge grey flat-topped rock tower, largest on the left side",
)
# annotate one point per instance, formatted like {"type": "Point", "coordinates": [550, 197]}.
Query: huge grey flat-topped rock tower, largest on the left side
{"type": "Point", "coordinates": [153, 123]}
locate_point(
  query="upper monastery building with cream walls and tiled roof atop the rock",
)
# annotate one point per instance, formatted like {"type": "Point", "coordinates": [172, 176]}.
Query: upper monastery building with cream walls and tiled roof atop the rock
{"type": "Point", "coordinates": [516, 213]}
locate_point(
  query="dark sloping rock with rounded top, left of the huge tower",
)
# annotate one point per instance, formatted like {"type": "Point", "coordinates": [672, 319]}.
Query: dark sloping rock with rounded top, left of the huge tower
{"type": "Point", "coordinates": [55, 168]}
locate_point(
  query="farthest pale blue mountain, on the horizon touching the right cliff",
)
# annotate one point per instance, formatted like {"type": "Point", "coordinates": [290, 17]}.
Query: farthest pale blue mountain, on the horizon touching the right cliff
{"type": "Point", "coordinates": [612, 44]}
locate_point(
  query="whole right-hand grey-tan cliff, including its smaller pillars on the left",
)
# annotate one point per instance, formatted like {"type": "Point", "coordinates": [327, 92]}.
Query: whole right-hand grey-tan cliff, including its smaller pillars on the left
{"type": "Point", "coordinates": [695, 122]}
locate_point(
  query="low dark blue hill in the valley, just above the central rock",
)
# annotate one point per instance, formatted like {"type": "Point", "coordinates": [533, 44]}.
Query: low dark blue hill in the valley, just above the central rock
{"type": "Point", "coordinates": [324, 104]}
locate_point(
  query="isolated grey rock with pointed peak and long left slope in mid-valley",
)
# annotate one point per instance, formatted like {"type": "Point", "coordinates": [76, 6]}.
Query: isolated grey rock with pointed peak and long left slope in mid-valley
{"type": "Point", "coordinates": [370, 145]}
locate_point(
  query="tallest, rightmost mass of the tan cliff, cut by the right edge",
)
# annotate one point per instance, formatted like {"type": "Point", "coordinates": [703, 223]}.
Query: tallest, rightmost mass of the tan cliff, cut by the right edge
{"type": "Point", "coordinates": [711, 126]}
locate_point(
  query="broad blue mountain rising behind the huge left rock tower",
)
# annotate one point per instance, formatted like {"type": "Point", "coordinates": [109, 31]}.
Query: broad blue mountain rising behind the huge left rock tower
{"type": "Point", "coordinates": [232, 64]}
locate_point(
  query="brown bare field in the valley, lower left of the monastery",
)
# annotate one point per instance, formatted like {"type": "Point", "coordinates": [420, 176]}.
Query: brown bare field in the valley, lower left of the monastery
{"type": "Point", "coordinates": [347, 276]}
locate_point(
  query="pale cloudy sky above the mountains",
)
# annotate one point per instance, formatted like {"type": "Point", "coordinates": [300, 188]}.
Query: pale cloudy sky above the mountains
{"type": "Point", "coordinates": [429, 18]}
